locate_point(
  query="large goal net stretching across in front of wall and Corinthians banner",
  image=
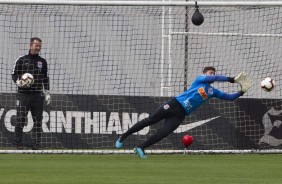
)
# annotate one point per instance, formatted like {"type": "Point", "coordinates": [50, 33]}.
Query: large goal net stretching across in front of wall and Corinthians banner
{"type": "Point", "coordinates": [112, 65]}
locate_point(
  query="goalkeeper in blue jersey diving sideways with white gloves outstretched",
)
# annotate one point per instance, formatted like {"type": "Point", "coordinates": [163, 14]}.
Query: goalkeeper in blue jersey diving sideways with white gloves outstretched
{"type": "Point", "coordinates": [175, 110]}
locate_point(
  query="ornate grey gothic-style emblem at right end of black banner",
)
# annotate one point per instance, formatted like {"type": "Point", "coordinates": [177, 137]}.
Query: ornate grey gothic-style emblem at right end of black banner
{"type": "Point", "coordinates": [272, 121]}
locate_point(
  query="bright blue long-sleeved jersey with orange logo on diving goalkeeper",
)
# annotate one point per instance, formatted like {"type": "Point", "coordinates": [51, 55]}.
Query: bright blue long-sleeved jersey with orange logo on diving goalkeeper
{"type": "Point", "coordinates": [201, 90]}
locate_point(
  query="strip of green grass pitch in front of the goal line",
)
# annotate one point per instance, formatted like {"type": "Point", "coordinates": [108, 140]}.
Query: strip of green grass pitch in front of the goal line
{"type": "Point", "coordinates": [129, 169]}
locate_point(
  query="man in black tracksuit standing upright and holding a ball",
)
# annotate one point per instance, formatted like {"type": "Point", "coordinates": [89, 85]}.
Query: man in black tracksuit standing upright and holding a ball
{"type": "Point", "coordinates": [30, 97]}
